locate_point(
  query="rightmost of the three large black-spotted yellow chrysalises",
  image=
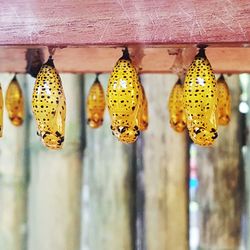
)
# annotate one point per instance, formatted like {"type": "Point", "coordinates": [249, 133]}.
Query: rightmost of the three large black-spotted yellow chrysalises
{"type": "Point", "coordinates": [200, 101]}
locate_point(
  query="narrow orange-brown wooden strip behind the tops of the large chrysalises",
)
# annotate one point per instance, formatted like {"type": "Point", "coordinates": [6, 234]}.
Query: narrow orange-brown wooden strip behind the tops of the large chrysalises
{"type": "Point", "coordinates": [155, 60]}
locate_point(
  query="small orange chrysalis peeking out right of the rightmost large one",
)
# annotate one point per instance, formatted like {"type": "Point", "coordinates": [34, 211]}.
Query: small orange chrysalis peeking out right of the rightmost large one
{"type": "Point", "coordinates": [224, 101]}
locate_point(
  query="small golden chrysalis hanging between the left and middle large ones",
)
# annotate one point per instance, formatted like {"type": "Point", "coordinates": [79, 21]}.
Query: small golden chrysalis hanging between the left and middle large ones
{"type": "Point", "coordinates": [95, 104]}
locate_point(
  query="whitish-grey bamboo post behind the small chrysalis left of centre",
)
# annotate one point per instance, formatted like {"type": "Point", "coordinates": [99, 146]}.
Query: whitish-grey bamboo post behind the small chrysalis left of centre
{"type": "Point", "coordinates": [107, 217]}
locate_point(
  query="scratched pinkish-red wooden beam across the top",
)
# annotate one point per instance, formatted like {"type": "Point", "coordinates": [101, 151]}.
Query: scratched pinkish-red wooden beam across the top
{"type": "Point", "coordinates": [99, 22]}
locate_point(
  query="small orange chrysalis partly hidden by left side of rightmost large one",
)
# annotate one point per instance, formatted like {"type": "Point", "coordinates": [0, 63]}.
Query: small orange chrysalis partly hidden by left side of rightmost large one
{"type": "Point", "coordinates": [176, 107]}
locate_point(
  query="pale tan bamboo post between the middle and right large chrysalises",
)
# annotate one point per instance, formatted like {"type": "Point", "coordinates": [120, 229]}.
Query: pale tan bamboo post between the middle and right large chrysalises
{"type": "Point", "coordinates": [165, 163]}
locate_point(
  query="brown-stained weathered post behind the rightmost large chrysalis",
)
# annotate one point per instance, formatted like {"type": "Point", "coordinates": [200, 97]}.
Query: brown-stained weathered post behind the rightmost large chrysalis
{"type": "Point", "coordinates": [219, 173]}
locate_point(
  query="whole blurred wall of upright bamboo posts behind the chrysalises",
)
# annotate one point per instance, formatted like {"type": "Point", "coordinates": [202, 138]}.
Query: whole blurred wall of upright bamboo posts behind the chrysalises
{"type": "Point", "coordinates": [161, 193]}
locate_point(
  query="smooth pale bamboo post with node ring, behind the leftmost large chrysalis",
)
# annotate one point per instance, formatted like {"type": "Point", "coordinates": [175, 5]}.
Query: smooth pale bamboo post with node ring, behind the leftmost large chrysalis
{"type": "Point", "coordinates": [55, 187]}
